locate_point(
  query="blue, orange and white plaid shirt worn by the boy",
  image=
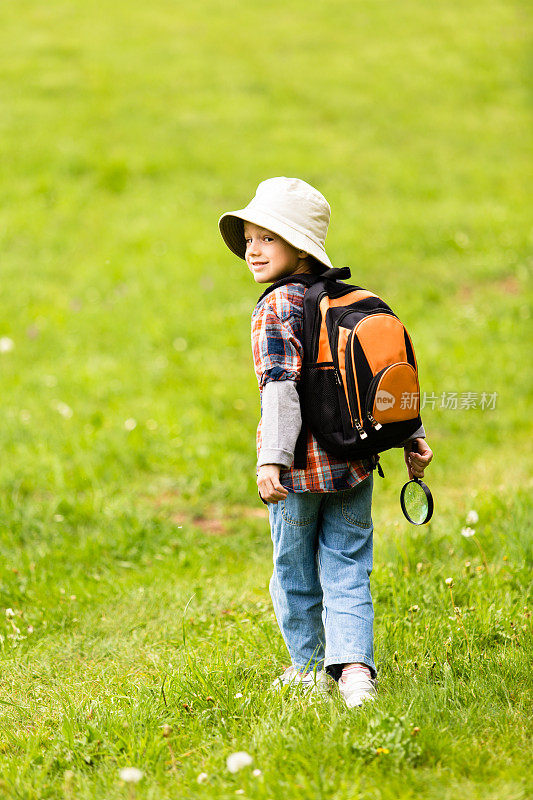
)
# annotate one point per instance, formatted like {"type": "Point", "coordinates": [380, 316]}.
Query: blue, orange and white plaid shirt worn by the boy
{"type": "Point", "coordinates": [278, 352]}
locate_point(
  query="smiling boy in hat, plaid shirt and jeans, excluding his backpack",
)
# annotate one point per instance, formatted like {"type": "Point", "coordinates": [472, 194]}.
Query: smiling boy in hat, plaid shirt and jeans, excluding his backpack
{"type": "Point", "coordinates": [320, 517]}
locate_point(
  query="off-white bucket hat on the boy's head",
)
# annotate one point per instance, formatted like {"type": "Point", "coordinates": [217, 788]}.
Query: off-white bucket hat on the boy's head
{"type": "Point", "coordinates": [289, 207]}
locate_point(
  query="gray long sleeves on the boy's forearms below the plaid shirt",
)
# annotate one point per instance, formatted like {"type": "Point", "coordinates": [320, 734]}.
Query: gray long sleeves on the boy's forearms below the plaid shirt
{"type": "Point", "coordinates": [281, 421]}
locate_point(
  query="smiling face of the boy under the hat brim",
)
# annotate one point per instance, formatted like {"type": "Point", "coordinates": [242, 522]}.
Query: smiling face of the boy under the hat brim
{"type": "Point", "coordinates": [269, 257]}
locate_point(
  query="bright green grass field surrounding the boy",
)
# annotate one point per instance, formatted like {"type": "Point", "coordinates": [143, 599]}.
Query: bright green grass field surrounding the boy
{"type": "Point", "coordinates": [135, 553]}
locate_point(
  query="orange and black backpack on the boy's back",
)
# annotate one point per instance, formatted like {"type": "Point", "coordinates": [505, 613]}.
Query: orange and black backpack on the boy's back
{"type": "Point", "coordinates": [358, 389]}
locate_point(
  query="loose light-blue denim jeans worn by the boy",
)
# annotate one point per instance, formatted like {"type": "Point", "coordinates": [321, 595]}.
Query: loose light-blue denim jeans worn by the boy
{"type": "Point", "coordinates": [320, 586]}
